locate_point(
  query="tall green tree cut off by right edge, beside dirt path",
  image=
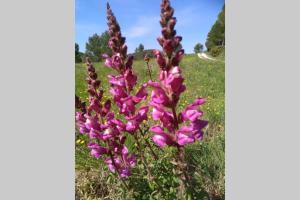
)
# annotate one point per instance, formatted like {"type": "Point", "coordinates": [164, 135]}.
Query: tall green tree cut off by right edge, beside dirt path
{"type": "Point", "coordinates": [216, 36]}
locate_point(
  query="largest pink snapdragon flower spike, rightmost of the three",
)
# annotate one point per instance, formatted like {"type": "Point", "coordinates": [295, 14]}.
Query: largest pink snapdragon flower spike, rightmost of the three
{"type": "Point", "coordinates": [166, 93]}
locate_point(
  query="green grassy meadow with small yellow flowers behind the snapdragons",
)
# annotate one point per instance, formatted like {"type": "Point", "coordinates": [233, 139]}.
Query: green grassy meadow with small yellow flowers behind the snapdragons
{"type": "Point", "coordinates": [206, 158]}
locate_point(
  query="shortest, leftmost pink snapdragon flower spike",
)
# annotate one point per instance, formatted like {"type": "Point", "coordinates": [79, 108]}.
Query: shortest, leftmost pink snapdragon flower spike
{"type": "Point", "coordinates": [104, 130]}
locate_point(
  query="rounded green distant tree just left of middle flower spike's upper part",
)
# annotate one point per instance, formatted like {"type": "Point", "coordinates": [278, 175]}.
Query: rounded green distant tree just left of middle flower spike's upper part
{"type": "Point", "coordinates": [97, 45]}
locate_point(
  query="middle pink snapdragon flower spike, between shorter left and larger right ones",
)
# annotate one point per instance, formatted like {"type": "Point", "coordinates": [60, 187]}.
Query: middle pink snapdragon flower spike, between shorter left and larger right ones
{"type": "Point", "coordinates": [123, 83]}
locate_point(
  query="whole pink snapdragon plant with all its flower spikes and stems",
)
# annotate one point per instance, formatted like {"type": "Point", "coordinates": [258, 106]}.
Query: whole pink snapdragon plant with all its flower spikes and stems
{"type": "Point", "coordinates": [173, 128]}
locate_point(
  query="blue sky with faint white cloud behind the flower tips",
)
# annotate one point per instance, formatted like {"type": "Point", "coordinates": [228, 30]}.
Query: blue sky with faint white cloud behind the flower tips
{"type": "Point", "coordinates": [139, 20]}
